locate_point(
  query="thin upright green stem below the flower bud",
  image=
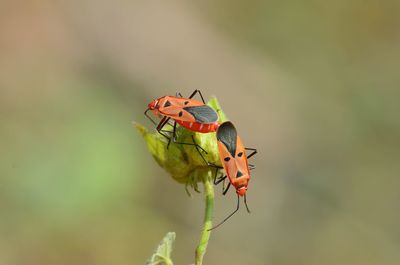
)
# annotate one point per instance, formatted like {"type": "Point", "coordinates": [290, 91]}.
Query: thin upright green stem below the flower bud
{"type": "Point", "coordinates": [205, 233]}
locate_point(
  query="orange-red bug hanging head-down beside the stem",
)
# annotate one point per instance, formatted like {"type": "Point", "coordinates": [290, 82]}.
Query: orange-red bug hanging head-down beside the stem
{"type": "Point", "coordinates": [234, 161]}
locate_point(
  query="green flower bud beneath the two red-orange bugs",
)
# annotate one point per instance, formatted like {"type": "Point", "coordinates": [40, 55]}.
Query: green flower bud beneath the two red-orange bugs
{"type": "Point", "coordinates": [183, 162]}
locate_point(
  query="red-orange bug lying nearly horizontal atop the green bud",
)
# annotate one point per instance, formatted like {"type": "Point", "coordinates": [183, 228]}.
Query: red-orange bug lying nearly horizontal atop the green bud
{"type": "Point", "coordinates": [187, 112]}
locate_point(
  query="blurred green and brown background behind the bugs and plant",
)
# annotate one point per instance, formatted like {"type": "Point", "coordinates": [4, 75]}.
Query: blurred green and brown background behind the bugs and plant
{"type": "Point", "coordinates": [314, 85]}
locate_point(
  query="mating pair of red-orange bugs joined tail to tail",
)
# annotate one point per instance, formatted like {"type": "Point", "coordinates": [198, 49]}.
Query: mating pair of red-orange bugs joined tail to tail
{"type": "Point", "coordinates": [199, 117]}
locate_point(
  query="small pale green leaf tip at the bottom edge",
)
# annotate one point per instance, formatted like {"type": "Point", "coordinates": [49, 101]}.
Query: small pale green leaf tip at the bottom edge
{"type": "Point", "coordinates": [162, 255]}
